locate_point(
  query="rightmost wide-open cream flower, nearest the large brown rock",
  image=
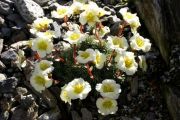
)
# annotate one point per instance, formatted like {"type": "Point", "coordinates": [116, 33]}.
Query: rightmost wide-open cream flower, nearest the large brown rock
{"type": "Point", "coordinates": [140, 43]}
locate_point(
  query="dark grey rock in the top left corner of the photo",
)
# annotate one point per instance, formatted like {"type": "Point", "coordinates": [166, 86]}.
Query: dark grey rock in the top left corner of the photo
{"type": "Point", "coordinates": [5, 8]}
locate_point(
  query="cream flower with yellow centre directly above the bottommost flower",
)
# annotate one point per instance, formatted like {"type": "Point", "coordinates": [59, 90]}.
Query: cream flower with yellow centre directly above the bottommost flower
{"type": "Point", "coordinates": [109, 88]}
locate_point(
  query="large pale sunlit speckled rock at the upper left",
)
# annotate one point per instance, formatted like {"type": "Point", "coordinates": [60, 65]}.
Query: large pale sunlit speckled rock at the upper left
{"type": "Point", "coordinates": [29, 10]}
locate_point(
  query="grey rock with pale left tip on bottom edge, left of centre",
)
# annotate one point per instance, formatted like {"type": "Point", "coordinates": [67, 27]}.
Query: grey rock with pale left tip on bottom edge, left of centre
{"type": "Point", "coordinates": [51, 115]}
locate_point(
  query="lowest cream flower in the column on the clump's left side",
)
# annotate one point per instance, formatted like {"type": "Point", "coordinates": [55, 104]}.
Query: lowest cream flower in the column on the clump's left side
{"type": "Point", "coordinates": [40, 81]}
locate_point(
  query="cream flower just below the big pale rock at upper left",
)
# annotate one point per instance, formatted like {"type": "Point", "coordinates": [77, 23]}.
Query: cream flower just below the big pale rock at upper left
{"type": "Point", "coordinates": [40, 25]}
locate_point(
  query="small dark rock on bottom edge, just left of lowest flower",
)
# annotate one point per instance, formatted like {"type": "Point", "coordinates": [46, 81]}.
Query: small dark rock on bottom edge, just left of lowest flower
{"type": "Point", "coordinates": [86, 114]}
